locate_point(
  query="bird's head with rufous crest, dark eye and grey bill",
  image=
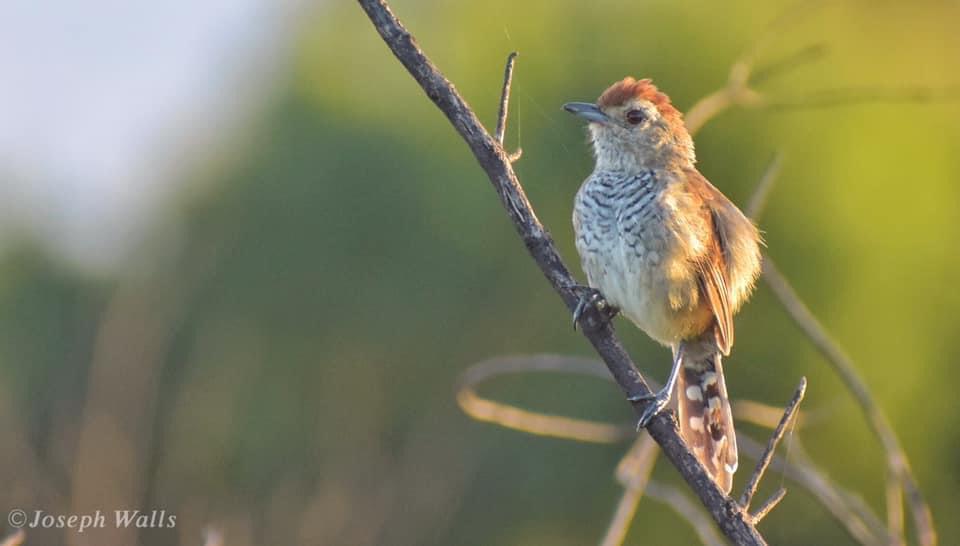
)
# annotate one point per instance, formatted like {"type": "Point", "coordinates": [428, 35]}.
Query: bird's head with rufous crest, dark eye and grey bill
{"type": "Point", "coordinates": [633, 126]}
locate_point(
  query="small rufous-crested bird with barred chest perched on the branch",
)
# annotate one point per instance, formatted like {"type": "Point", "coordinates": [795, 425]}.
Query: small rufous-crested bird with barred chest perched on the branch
{"type": "Point", "coordinates": [666, 249]}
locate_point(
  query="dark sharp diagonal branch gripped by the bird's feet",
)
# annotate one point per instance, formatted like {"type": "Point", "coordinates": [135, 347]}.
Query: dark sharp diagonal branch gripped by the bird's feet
{"type": "Point", "coordinates": [732, 520]}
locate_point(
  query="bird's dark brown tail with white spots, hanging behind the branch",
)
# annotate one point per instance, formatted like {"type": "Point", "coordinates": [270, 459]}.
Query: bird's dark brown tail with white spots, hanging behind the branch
{"type": "Point", "coordinates": [703, 409]}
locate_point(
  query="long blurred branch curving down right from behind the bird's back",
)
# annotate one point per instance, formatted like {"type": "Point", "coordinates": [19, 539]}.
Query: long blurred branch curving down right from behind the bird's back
{"type": "Point", "coordinates": [897, 462]}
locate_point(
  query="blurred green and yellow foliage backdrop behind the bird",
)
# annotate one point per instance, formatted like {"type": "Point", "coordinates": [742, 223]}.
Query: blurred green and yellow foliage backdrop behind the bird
{"type": "Point", "coordinates": [277, 359]}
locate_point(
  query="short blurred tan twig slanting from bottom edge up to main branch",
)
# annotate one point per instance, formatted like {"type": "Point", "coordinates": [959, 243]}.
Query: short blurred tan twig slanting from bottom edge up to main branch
{"type": "Point", "coordinates": [633, 473]}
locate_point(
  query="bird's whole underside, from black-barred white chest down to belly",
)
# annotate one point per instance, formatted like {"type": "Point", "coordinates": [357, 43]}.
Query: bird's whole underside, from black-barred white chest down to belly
{"type": "Point", "coordinates": [633, 246]}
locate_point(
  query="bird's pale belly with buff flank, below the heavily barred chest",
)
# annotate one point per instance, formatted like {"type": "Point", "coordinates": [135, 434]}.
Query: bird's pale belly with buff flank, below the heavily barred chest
{"type": "Point", "coordinates": [653, 284]}
